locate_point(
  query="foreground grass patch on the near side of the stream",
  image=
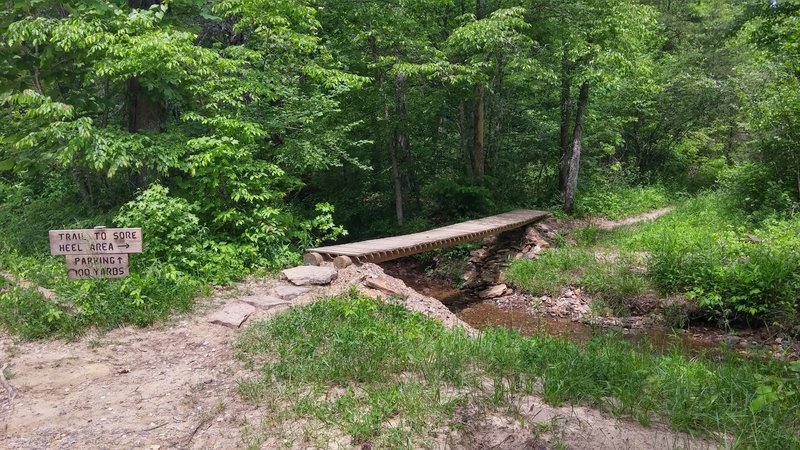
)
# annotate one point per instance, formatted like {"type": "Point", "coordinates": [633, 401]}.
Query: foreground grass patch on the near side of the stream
{"type": "Point", "coordinates": [379, 374]}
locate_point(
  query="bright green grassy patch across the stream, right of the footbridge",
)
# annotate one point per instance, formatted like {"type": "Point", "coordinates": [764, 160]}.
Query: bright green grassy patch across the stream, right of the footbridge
{"type": "Point", "coordinates": [733, 268]}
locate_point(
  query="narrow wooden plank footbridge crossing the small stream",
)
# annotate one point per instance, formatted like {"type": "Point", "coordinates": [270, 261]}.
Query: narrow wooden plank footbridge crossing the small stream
{"type": "Point", "coordinates": [385, 249]}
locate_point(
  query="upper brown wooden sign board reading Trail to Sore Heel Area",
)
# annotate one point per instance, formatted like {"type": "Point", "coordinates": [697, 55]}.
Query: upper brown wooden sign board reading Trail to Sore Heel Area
{"type": "Point", "coordinates": [97, 241]}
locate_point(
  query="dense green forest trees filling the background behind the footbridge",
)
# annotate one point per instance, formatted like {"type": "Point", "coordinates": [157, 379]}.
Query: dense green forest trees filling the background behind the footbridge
{"type": "Point", "coordinates": [238, 132]}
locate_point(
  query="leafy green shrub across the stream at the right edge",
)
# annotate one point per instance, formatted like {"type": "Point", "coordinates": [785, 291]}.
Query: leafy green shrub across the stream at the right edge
{"type": "Point", "coordinates": [731, 272]}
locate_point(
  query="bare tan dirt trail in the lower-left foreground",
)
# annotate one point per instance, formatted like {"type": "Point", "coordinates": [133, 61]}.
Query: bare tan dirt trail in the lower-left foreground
{"type": "Point", "coordinates": [169, 387]}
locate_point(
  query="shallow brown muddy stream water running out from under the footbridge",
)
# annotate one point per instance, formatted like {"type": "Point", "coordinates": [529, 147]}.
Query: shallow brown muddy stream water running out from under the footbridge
{"type": "Point", "coordinates": [486, 313]}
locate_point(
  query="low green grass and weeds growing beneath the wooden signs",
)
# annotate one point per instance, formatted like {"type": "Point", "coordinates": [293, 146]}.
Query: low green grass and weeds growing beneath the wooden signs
{"type": "Point", "coordinates": [143, 298]}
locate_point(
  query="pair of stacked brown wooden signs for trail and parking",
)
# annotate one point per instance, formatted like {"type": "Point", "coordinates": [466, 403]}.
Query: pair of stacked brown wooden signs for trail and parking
{"type": "Point", "coordinates": [96, 253]}
